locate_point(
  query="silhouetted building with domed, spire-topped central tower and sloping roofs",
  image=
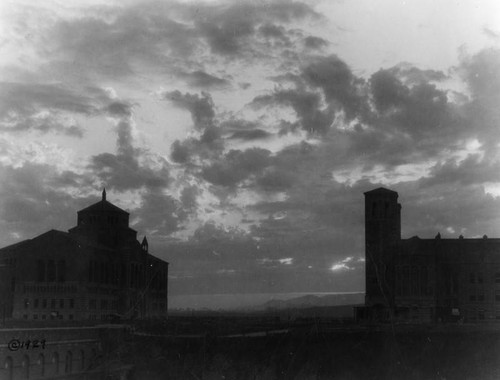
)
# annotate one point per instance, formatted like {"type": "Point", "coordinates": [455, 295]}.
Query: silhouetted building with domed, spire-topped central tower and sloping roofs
{"type": "Point", "coordinates": [95, 271]}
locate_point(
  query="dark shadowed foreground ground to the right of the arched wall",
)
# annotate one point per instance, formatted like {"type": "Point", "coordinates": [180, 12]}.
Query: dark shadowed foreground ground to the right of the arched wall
{"type": "Point", "coordinates": [318, 352]}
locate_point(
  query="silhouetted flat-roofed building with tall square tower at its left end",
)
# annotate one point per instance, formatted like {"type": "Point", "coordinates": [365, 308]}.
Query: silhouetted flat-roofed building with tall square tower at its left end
{"type": "Point", "coordinates": [426, 280]}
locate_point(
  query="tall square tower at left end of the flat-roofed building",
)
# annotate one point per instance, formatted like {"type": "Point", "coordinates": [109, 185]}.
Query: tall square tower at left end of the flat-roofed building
{"type": "Point", "coordinates": [382, 238]}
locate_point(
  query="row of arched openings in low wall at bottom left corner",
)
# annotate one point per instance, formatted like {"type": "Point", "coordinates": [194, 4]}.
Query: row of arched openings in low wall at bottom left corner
{"type": "Point", "coordinates": [42, 367]}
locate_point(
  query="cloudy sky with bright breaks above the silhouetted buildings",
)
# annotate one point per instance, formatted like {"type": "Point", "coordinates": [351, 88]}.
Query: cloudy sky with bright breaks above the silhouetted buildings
{"type": "Point", "coordinates": [241, 135]}
